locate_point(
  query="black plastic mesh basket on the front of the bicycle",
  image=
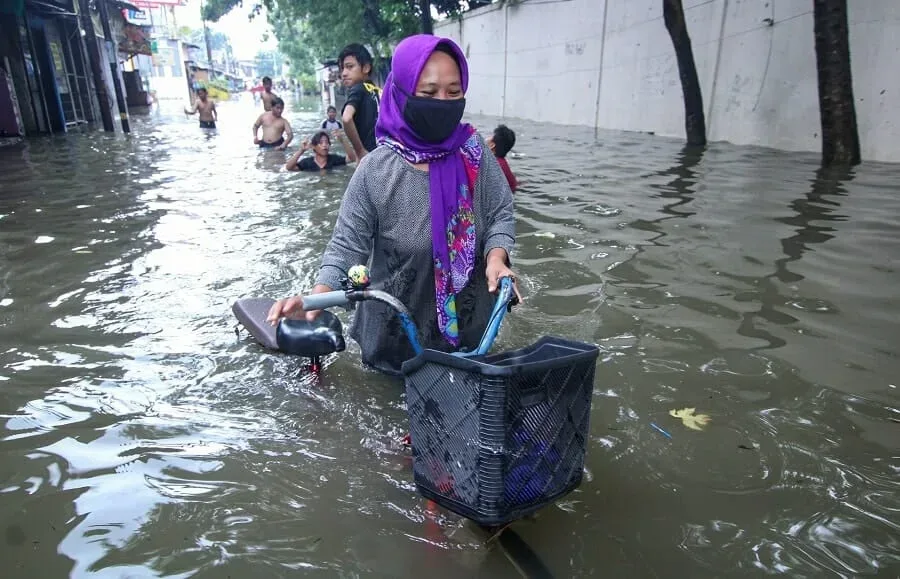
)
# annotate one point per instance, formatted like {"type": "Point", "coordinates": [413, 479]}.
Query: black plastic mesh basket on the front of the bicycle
{"type": "Point", "coordinates": [498, 437]}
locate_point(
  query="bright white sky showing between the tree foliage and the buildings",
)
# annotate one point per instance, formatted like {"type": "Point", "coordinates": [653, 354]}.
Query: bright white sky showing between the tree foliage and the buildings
{"type": "Point", "coordinates": [245, 35]}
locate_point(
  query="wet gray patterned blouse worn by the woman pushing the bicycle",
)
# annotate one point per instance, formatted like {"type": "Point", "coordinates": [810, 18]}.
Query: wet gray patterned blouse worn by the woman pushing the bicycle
{"type": "Point", "coordinates": [385, 222]}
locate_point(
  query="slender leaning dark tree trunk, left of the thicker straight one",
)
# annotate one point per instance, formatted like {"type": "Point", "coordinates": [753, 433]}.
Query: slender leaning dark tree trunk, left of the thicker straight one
{"type": "Point", "coordinates": [694, 119]}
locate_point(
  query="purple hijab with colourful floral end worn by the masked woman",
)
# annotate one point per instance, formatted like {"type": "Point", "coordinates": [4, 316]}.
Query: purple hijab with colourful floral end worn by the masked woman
{"type": "Point", "coordinates": [453, 167]}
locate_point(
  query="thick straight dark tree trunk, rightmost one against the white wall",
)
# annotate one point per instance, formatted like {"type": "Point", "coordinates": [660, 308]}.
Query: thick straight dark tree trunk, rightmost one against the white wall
{"type": "Point", "coordinates": [840, 139]}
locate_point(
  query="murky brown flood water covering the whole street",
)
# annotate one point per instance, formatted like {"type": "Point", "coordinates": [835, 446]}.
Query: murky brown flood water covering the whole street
{"type": "Point", "coordinates": [140, 437]}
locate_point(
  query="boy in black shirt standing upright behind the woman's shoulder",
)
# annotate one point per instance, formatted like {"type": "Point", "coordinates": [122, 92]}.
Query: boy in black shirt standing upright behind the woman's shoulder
{"type": "Point", "coordinates": [361, 109]}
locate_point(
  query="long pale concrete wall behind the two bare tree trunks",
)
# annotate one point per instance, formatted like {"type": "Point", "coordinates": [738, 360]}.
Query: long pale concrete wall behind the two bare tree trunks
{"type": "Point", "coordinates": [610, 64]}
